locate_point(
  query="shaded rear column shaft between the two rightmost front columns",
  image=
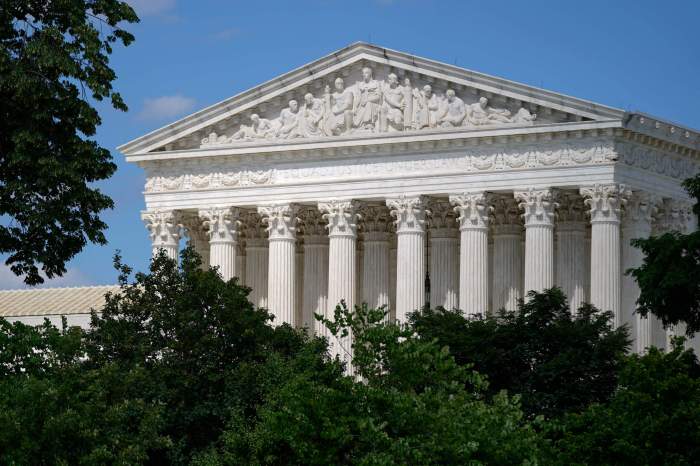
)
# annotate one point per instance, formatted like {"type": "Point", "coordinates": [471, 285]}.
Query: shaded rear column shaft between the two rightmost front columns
{"type": "Point", "coordinates": [571, 258]}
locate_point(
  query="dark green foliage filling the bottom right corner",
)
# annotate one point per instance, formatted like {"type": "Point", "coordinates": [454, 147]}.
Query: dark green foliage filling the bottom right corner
{"type": "Point", "coordinates": [653, 418]}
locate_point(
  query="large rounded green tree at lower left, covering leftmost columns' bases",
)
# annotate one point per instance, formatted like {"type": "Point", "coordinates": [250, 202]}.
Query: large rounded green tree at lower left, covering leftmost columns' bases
{"type": "Point", "coordinates": [174, 356]}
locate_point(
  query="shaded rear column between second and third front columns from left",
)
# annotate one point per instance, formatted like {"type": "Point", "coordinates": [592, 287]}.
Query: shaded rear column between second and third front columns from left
{"type": "Point", "coordinates": [257, 259]}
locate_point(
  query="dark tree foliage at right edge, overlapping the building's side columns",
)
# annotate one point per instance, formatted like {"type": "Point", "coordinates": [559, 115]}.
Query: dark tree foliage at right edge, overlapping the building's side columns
{"type": "Point", "coordinates": [669, 277]}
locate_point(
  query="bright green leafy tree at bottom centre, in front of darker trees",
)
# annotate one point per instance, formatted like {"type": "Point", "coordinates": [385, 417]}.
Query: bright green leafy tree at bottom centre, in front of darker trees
{"type": "Point", "coordinates": [414, 406]}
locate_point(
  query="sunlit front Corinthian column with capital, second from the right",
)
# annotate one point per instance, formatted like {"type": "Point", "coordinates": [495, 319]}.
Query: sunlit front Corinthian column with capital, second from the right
{"type": "Point", "coordinates": [538, 206]}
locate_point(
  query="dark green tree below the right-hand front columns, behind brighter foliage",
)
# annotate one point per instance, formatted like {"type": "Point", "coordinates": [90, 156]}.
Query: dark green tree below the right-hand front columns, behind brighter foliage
{"type": "Point", "coordinates": [557, 362]}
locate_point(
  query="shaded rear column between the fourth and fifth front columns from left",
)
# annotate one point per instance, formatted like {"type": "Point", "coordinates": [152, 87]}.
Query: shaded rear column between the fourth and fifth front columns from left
{"type": "Point", "coordinates": [375, 261]}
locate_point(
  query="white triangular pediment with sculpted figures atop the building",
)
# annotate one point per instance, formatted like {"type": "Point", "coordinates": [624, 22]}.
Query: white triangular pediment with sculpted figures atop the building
{"type": "Point", "coordinates": [367, 91]}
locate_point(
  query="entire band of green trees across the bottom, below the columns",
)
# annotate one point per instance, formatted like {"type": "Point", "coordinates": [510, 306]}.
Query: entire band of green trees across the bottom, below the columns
{"type": "Point", "coordinates": [180, 368]}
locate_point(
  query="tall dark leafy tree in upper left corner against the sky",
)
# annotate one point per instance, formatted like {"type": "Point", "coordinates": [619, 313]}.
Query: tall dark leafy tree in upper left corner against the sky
{"type": "Point", "coordinates": [52, 53]}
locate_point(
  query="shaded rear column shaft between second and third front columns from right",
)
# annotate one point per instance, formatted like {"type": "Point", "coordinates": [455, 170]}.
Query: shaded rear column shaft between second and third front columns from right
{"type": "Point", "coordinates": [508, 265]}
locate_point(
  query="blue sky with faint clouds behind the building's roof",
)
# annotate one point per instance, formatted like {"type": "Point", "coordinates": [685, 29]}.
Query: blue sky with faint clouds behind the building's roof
{"type": "Point", "coordinates": [635, 55]}
